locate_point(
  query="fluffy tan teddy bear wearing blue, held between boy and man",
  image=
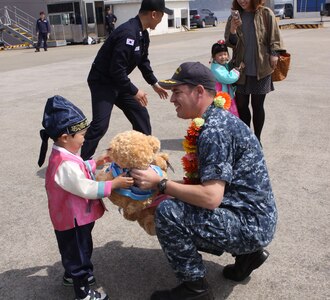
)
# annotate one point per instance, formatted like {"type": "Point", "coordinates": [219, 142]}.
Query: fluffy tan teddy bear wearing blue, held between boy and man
{"type": "Point", "coordinates": [135, 150]}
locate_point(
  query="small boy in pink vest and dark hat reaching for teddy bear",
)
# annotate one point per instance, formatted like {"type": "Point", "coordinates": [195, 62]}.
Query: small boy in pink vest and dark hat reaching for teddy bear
{"type": "Point", "coordinates": [74, 197]}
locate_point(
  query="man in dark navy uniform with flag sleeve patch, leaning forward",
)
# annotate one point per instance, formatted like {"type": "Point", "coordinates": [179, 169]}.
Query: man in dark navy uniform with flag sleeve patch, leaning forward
{"type": "Point", "coordinates": [124, 50]}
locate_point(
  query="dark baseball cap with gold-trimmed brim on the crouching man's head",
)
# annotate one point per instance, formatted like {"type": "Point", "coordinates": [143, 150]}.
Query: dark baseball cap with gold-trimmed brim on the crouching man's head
{"type": "Point", "coordinates": [193, 73]}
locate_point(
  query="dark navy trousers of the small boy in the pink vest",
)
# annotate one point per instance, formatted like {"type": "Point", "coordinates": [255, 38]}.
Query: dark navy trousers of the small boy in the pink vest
{"type": "Point", "coordinates": [76, 248]}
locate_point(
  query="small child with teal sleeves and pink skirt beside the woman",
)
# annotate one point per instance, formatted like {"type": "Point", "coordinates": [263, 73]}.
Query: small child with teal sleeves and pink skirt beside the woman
{"type": "Point", "coordinates": [224, 76]}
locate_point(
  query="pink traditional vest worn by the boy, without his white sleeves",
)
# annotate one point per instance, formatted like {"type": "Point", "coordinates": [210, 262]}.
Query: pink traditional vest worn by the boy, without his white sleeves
{"type": "Point", "coordinates": [64, 207]}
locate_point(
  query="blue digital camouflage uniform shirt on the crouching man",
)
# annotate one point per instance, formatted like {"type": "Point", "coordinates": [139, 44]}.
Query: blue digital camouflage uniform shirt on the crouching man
{"type": "Point", "coordinates": [229, 151]}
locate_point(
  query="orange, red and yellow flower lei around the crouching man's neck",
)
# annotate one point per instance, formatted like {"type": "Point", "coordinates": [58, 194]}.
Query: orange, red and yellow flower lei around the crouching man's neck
{"type": "Point", "coordinates": [190, 159]}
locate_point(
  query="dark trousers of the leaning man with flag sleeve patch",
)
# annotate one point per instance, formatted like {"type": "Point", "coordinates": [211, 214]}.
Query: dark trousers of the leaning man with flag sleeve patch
{"type": "Point", "coordinates": [104, 97]}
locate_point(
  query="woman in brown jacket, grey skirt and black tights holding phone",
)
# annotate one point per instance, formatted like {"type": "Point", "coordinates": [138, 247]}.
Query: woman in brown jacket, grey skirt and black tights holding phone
{"type": "Point", "coordinates": [254, 35]}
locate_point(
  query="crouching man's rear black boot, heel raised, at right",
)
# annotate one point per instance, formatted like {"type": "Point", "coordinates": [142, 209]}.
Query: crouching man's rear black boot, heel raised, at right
{"type": "Point", "coordinates": [244, 265]}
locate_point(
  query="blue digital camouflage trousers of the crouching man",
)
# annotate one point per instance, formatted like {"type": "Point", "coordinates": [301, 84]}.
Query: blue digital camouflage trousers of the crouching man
{"type": "Point", "coordinates": [183, 230]}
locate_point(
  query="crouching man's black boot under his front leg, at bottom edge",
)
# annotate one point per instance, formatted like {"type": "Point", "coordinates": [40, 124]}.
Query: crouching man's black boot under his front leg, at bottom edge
{"type": "Point", "coordinates": [187, 290]}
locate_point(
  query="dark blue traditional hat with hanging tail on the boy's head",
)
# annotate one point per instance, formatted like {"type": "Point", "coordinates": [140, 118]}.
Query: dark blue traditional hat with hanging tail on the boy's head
{"type": "Point", "coordinates": [60, 116]}
